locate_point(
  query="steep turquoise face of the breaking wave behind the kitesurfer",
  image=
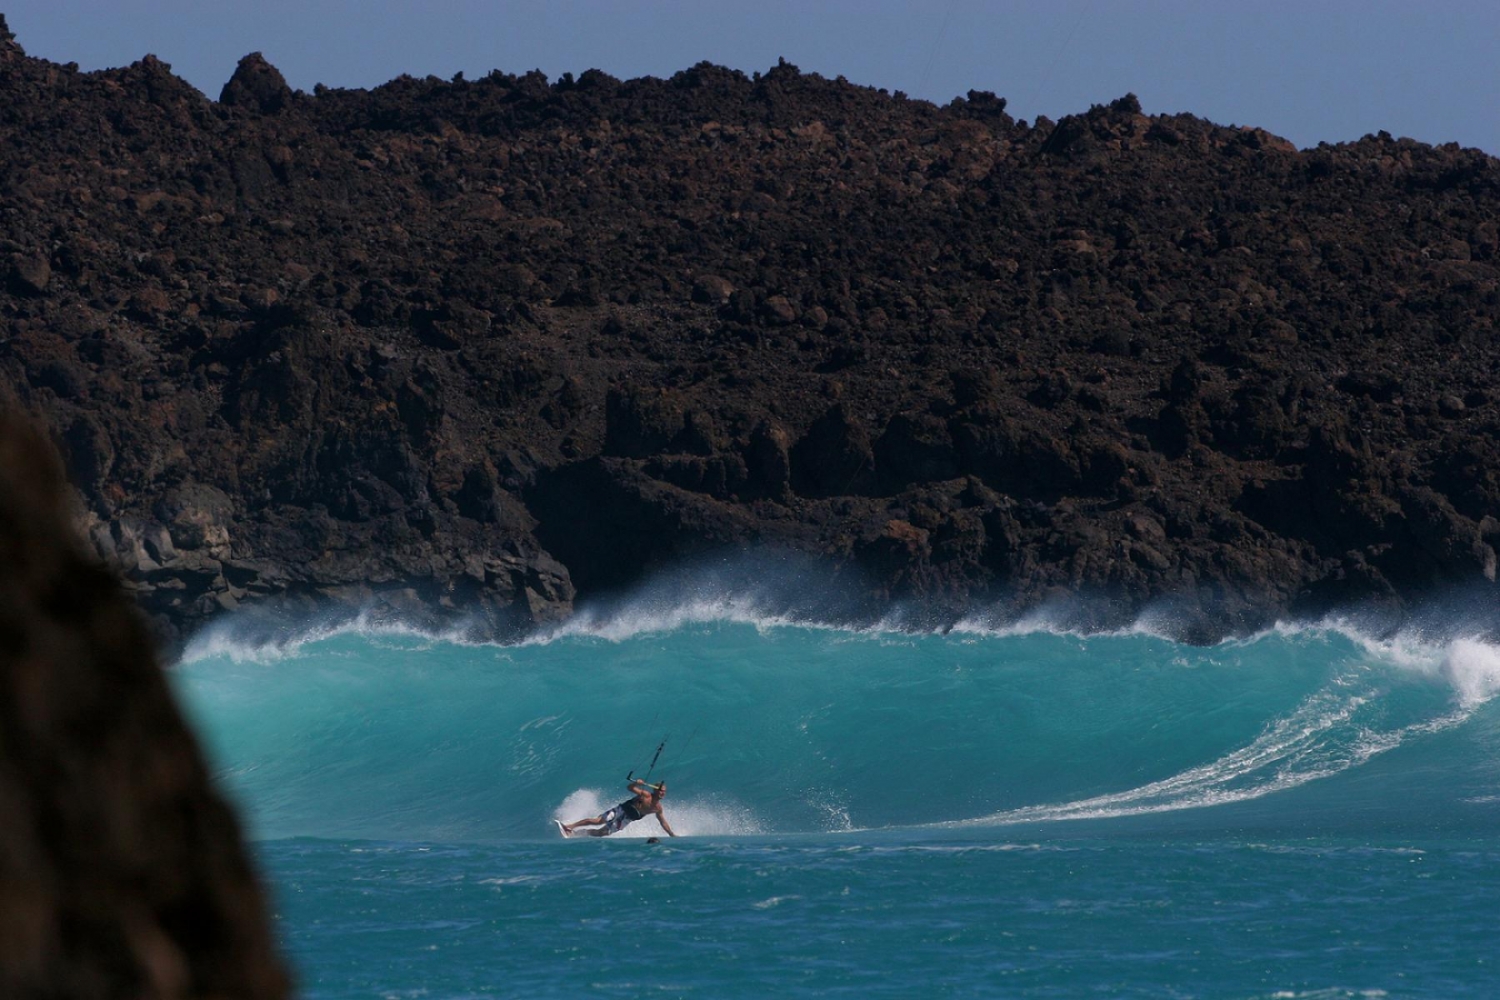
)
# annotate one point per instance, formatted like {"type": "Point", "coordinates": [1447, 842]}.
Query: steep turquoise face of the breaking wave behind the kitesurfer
{"type": "Point", "coordinates": [781, 728]}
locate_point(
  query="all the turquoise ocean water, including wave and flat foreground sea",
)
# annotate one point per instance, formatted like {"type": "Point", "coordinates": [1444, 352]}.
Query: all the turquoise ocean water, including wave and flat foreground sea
{"type": "Point", "coordinates": [1016, 812]}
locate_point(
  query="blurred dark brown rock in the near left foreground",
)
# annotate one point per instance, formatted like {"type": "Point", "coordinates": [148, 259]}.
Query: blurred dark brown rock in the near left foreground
{"type": "Point", "coordinates": [122, 872]}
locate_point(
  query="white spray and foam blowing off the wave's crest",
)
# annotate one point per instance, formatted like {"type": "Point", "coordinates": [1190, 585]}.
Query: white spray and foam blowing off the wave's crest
{"type": "Point", "coordinates": [787, 591]}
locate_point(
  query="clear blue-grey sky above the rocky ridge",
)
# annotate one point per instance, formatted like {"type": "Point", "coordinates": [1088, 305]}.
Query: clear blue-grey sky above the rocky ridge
{"type": "Point", "coordinates": [1312, 71]}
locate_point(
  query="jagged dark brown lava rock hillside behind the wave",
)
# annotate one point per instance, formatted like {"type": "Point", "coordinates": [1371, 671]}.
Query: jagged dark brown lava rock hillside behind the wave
{"type": "Point", "coordinates": [496, 344]}
